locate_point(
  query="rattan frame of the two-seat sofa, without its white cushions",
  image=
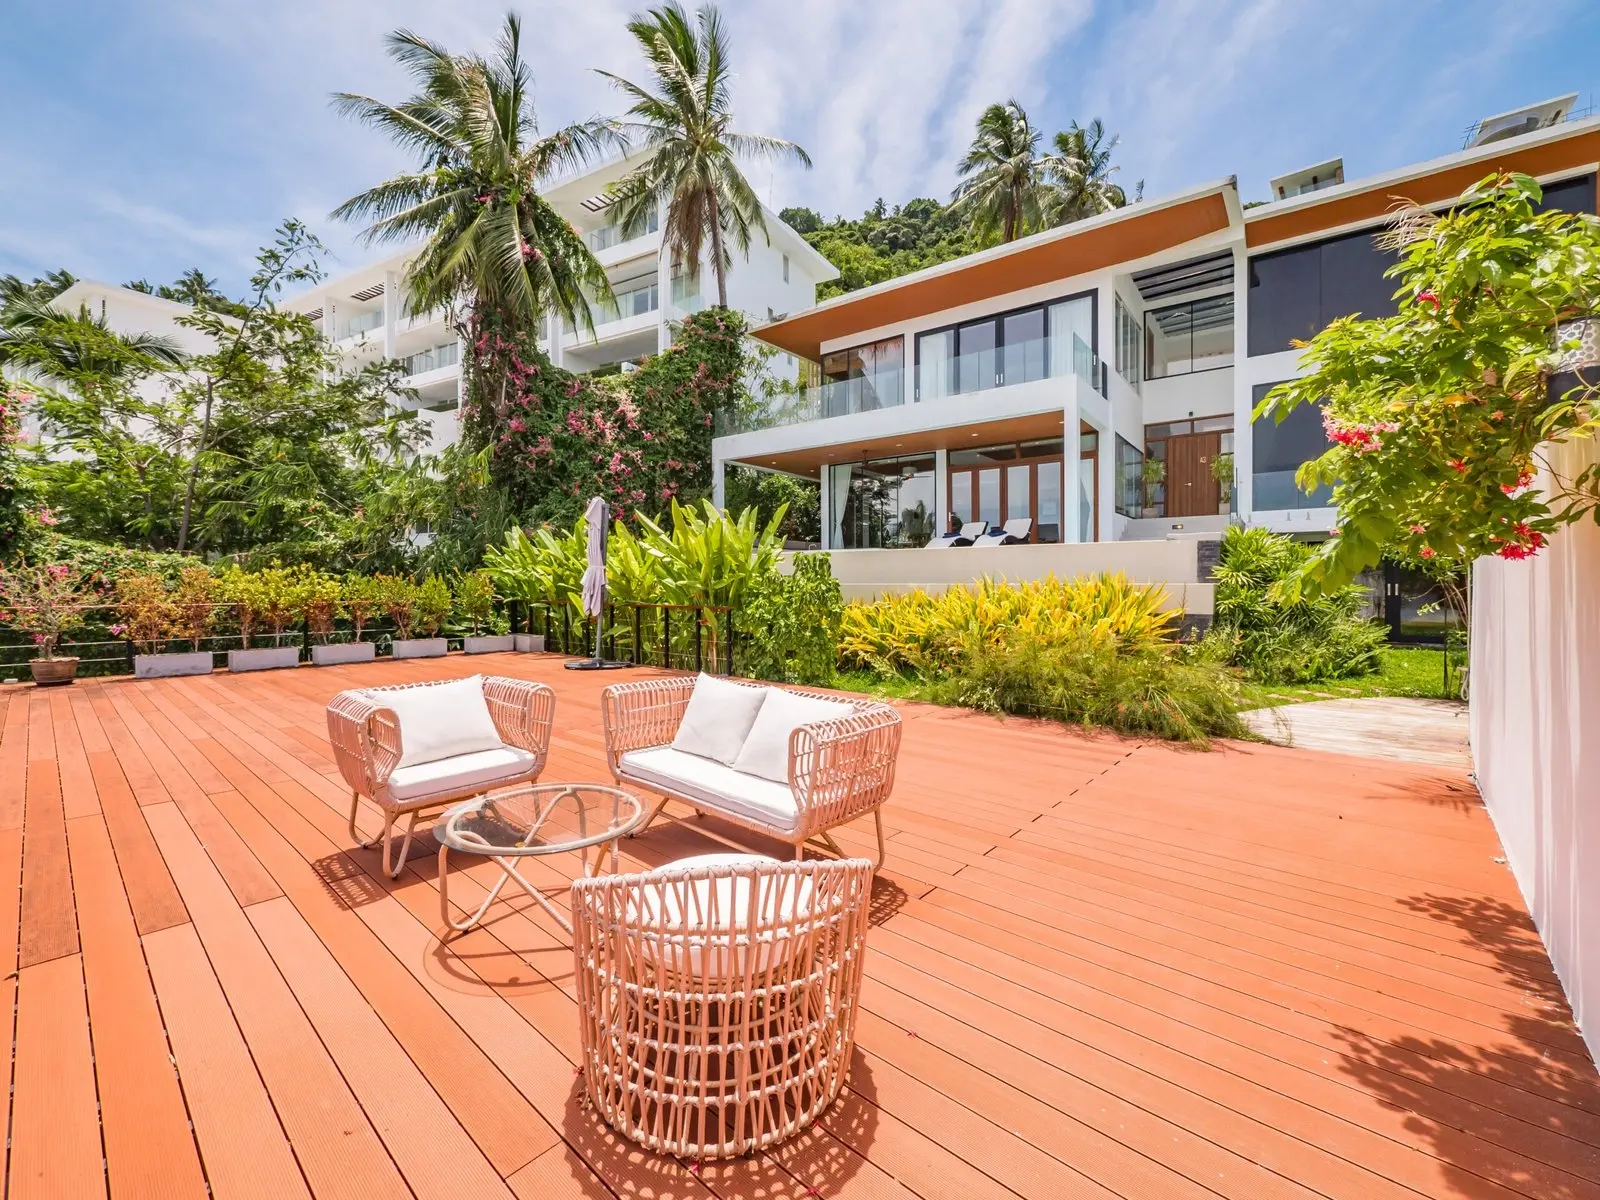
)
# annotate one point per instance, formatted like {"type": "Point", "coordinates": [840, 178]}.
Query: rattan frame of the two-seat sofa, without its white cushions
{"type": "Point", "coordinates": [839, 770]}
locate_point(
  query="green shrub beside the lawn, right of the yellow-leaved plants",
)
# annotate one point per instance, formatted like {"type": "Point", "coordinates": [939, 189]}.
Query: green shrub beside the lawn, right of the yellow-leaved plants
{"type": "Point", "coordinates": [1278, 636]}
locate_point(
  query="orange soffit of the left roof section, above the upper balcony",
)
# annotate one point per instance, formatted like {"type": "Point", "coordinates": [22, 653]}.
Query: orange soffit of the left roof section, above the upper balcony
{"type": "Point", "coordinates": [1044, 260]}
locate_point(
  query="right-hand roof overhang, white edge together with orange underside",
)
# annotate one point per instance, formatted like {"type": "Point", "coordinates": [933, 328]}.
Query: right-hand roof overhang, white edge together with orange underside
{"type": "Point", "coordinates": [1546, 153]}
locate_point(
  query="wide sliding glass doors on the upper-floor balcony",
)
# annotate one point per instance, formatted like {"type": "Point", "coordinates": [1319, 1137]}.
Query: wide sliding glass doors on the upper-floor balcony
{"type": "Point", "coordinates": [1014, 348]}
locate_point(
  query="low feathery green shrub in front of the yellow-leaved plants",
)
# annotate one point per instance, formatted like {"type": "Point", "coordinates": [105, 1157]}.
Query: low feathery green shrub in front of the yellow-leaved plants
{"type": "Point", "coordinates": [1087, 681]}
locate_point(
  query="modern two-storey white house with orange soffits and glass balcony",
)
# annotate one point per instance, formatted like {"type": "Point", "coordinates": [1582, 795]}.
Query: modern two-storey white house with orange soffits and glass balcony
{"type": "Point", "coordinates": [1089, 378]}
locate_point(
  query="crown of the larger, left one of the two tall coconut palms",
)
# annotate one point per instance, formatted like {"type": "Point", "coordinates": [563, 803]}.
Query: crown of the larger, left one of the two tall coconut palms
{"type": "Point", "coordinates": [490, 239]}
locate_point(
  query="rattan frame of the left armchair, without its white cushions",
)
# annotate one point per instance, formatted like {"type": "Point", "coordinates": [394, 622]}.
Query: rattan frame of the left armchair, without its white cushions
{"type": "Point", "coordinates": [367, 746]}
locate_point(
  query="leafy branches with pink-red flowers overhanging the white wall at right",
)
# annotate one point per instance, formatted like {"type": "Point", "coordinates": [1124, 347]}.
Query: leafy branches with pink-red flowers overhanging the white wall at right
{"type": "Point", "coordinates": [1438, 415]}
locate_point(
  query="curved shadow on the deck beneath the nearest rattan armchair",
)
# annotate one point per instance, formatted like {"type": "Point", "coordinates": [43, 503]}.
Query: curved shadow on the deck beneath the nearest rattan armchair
{"type": "Point", "coordinates": [825, 1158]}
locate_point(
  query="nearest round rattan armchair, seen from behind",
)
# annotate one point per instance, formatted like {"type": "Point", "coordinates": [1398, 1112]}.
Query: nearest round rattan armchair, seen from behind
{"type": "Point", "coordinates": [719, 998]}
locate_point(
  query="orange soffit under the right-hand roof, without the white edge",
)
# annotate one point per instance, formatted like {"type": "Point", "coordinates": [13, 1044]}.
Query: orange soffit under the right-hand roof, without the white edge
{"type": "Point", "coordinates": [1431, 188]}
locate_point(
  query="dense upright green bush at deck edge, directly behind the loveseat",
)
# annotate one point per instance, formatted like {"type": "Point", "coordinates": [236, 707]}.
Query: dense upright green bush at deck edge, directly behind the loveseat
{"type": "Point", "coordinates": [790, 625]}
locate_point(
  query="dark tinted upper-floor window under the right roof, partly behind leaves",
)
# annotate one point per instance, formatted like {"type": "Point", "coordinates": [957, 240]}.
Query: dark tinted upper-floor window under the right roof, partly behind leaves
{"type": "Point", "coordinates": [1295, 294]}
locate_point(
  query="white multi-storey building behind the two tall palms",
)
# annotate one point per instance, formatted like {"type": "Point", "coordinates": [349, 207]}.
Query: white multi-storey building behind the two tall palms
{"type": "Point", "coordinates": [366, 311]}
